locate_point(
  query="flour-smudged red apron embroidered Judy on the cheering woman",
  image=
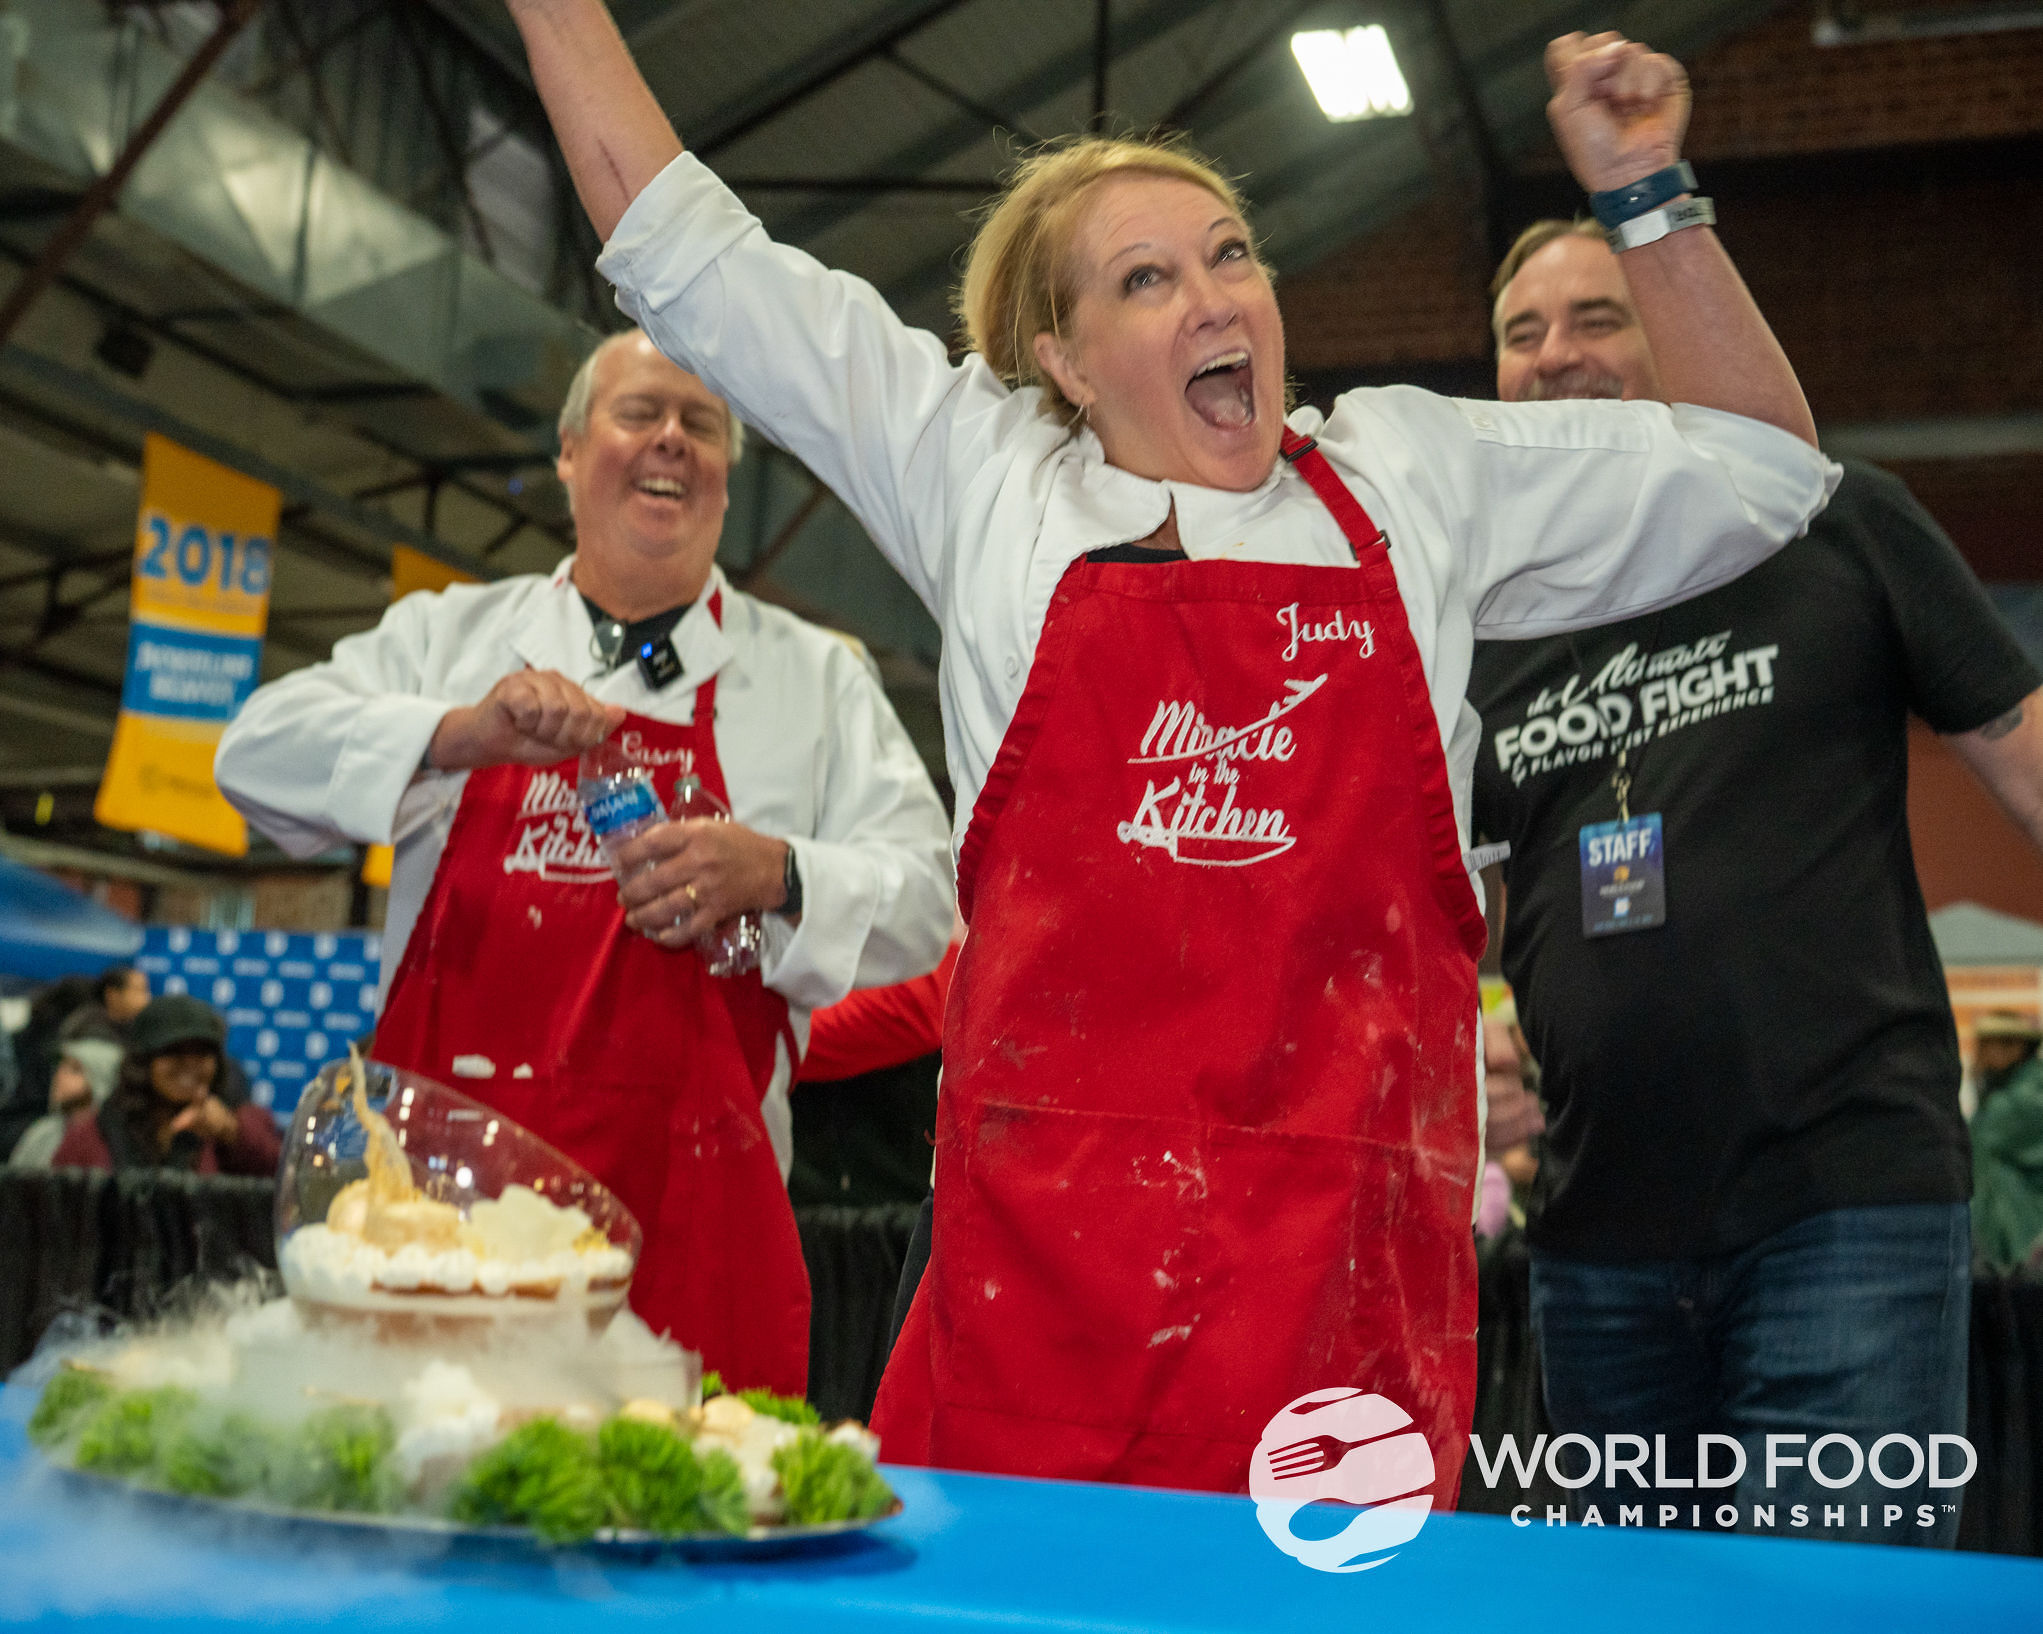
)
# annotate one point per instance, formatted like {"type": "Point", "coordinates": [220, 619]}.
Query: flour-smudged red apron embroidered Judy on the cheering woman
{"type": "Point", "coordinates": [1208, 1124]}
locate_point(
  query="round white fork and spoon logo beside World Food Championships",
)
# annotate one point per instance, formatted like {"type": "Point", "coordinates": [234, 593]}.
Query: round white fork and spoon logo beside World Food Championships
{"type": "Point", "coordinates": [1345, 1447]}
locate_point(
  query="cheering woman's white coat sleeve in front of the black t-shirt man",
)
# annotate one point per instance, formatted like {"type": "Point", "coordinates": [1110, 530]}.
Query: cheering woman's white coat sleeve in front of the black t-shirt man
{"type": "Point", "coordinates": [1578, 514]}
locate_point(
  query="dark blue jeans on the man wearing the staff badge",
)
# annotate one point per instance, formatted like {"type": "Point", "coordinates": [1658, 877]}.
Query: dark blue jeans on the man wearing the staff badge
{"type": "Point", "coordinates": [1850, 1325]}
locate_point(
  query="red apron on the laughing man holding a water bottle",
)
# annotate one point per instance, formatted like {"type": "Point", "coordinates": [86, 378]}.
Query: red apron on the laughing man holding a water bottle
{"type": "Point", "coordinates": [643, 1067]}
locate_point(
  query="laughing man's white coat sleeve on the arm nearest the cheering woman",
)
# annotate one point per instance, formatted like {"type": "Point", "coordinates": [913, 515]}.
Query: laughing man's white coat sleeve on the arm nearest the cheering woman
{"type": "Point", "coordinates": [875, 877]}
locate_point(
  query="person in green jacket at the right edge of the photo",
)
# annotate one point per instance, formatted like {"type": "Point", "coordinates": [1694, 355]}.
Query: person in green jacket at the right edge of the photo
{"type": "Point", "coordinates": [2007, 1143]}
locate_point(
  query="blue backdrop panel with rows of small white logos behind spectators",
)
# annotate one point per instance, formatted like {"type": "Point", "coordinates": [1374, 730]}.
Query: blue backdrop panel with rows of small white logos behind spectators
{"type": "Point", "coordinates": [293, 1002]}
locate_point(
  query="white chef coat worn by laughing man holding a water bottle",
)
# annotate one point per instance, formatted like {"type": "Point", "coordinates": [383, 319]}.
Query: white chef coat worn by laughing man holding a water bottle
{"type": "Point", "coordinates": [810, 747]}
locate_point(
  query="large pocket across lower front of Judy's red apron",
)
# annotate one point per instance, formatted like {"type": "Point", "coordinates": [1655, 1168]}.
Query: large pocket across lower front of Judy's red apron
{"type": "Point", "coordinates": [1159, 1276]}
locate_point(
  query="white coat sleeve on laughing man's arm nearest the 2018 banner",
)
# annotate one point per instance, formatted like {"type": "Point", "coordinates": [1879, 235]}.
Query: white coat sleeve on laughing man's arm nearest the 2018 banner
{"type": "Point", "coordinates": [330, 753]}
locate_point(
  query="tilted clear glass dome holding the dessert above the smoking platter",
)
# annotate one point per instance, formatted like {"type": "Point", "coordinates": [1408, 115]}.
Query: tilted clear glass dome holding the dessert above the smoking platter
{"type": "Point", "coordinates": [399, 1196]}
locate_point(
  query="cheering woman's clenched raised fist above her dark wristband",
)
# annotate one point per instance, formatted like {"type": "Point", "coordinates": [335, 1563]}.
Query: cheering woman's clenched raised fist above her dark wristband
{"type": "Point", "coordinates": [1619, 109]}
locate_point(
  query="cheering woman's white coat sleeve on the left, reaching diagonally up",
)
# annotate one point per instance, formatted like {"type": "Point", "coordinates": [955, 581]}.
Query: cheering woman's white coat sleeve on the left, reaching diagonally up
{"type": "Point", "coordinates": [814, 358]}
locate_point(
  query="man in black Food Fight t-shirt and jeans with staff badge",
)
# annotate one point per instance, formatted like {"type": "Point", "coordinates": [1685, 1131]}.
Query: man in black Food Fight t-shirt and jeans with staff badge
{"type": "Point", "coordinates": [1750, 1218]}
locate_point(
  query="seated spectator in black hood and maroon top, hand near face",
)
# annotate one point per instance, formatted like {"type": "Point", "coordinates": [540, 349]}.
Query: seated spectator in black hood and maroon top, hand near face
{"type": "Point", "coordinates": [167, 1110]}
